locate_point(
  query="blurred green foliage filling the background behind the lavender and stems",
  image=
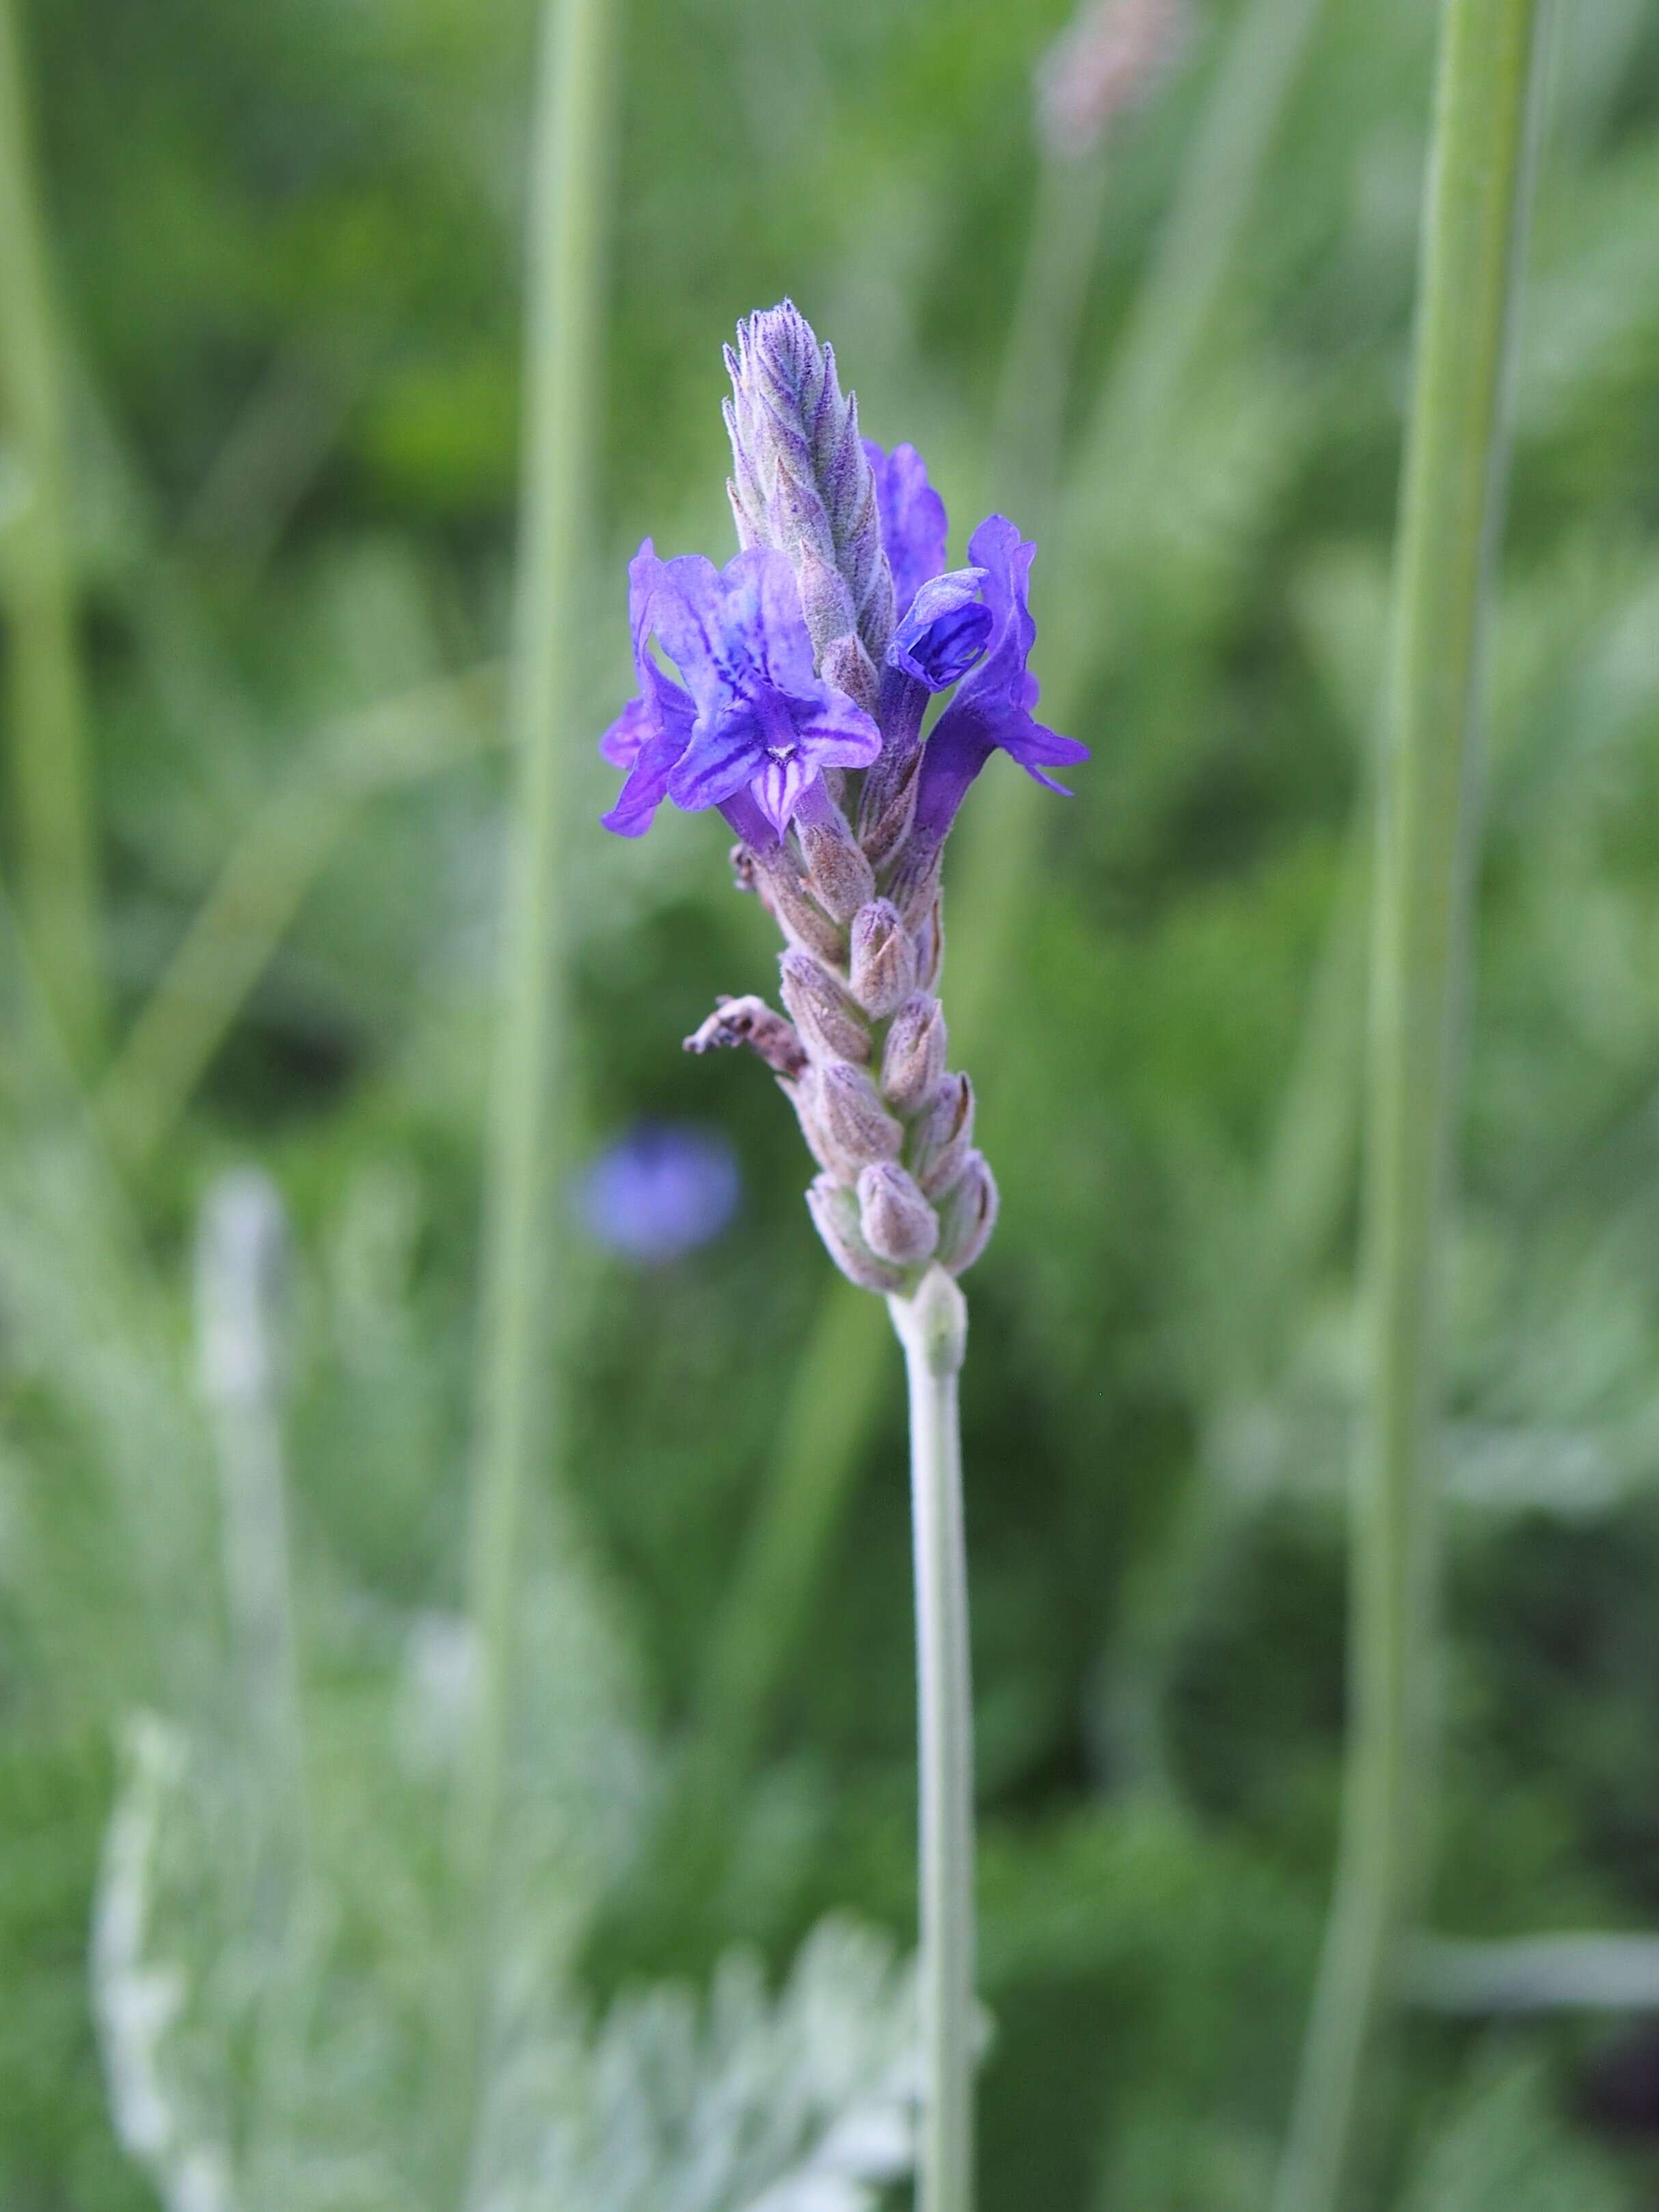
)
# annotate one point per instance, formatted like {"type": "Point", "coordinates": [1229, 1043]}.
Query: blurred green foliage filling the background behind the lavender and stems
{"type": "Point", "coordinates": [286, 244]}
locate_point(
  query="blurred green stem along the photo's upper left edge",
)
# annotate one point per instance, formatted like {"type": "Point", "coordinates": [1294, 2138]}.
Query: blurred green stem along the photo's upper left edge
{"type": "Point", "coordinates": [50, 778]}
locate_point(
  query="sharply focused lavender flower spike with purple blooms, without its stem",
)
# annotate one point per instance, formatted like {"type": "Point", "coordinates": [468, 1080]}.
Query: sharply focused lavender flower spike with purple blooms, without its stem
{"type": "Point", "coordinates": [808, 669]}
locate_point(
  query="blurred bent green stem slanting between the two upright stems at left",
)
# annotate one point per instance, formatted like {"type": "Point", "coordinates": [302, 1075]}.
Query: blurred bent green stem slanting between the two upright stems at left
{"type": "Point", "coordinates": [260, 890]}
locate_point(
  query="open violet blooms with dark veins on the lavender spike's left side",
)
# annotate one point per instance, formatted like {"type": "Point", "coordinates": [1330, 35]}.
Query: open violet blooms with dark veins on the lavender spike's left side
{"type": "Point", "coordinates": [755, 727]}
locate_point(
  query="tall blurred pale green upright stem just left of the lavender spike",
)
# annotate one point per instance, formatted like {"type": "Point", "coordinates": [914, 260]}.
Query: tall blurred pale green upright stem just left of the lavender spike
{"type": "Point", "coordinates": [570, 156]}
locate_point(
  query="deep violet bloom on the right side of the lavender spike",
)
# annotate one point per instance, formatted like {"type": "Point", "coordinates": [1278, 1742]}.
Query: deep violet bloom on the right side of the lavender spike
{"type": "Point", "coordinates": [992, 709]}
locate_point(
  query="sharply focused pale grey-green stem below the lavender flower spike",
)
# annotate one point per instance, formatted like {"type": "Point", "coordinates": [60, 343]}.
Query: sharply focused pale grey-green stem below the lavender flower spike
{"type": "Point", "coordinates": [932, 1328]}
